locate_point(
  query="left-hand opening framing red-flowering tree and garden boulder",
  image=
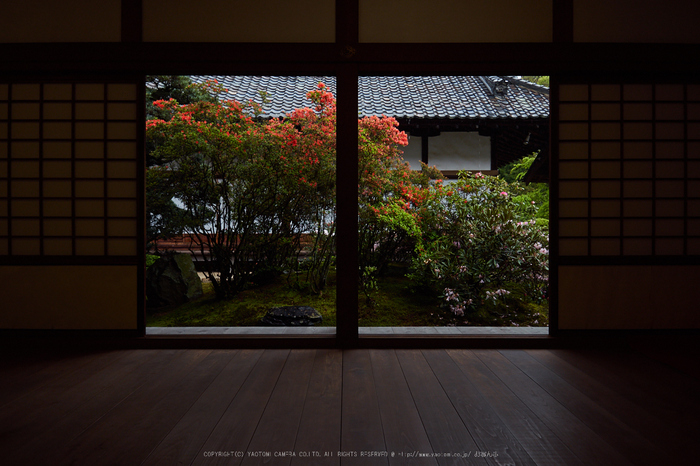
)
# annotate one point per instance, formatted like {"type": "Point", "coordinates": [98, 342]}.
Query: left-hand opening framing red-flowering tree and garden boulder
{"type": "Point", "coordinates": [241, 194]}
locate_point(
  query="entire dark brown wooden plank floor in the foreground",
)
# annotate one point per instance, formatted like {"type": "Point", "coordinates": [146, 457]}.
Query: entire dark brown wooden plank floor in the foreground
{"type": "Point", "coordinates": [415, 407]}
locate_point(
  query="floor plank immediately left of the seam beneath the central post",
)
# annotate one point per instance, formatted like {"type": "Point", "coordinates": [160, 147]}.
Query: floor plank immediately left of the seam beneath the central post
{"type": "Point", "coordinates": [319, 429]}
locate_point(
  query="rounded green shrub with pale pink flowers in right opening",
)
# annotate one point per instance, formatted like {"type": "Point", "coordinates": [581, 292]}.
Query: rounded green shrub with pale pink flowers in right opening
{"type": "Point", "coordinates": [481, 250]}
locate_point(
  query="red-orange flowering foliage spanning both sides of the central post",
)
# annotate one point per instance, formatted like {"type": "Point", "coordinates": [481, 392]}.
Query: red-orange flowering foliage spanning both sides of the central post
{"type": "Point", "coordinates": [253, 188]}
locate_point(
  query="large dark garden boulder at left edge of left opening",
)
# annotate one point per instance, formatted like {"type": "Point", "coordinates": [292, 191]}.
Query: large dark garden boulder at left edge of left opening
{"type": "Point", "coordinates": [172, 280]}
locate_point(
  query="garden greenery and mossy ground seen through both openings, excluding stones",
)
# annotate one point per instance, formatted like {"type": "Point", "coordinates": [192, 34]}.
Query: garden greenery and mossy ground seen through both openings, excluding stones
{"type": "Point", "coordinates": [257, 197]}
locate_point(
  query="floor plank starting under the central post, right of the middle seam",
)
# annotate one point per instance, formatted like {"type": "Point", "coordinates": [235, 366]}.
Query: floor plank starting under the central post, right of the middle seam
{"type": "Point", "coordinates": [361, 421]}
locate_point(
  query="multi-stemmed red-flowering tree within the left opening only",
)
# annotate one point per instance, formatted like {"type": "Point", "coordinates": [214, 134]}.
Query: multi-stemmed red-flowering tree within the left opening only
{"type": "Point", "coordinates": [250, 187]}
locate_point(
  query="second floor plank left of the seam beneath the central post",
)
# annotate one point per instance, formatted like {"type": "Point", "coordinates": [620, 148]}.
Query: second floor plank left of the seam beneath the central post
{"type": "Point", "coordinates": [277, 431]}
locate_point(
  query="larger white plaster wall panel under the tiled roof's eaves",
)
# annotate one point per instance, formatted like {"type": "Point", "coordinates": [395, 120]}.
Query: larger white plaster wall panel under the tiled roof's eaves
{"type": "Point", "coordinates": [460, 151]}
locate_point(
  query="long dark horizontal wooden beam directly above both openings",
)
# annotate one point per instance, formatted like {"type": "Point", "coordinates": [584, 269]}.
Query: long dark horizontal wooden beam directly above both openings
{"type": "Point", "coordinates": [602, 60]}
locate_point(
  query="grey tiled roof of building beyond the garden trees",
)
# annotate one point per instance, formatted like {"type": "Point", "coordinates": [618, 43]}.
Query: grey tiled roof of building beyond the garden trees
{"type": "Point", "coordinates": [451, 97]}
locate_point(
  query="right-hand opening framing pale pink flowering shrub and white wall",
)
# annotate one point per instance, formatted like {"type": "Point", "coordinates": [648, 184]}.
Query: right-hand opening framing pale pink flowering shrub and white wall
{"type": "Point", "coordinates": [453, 204]}
